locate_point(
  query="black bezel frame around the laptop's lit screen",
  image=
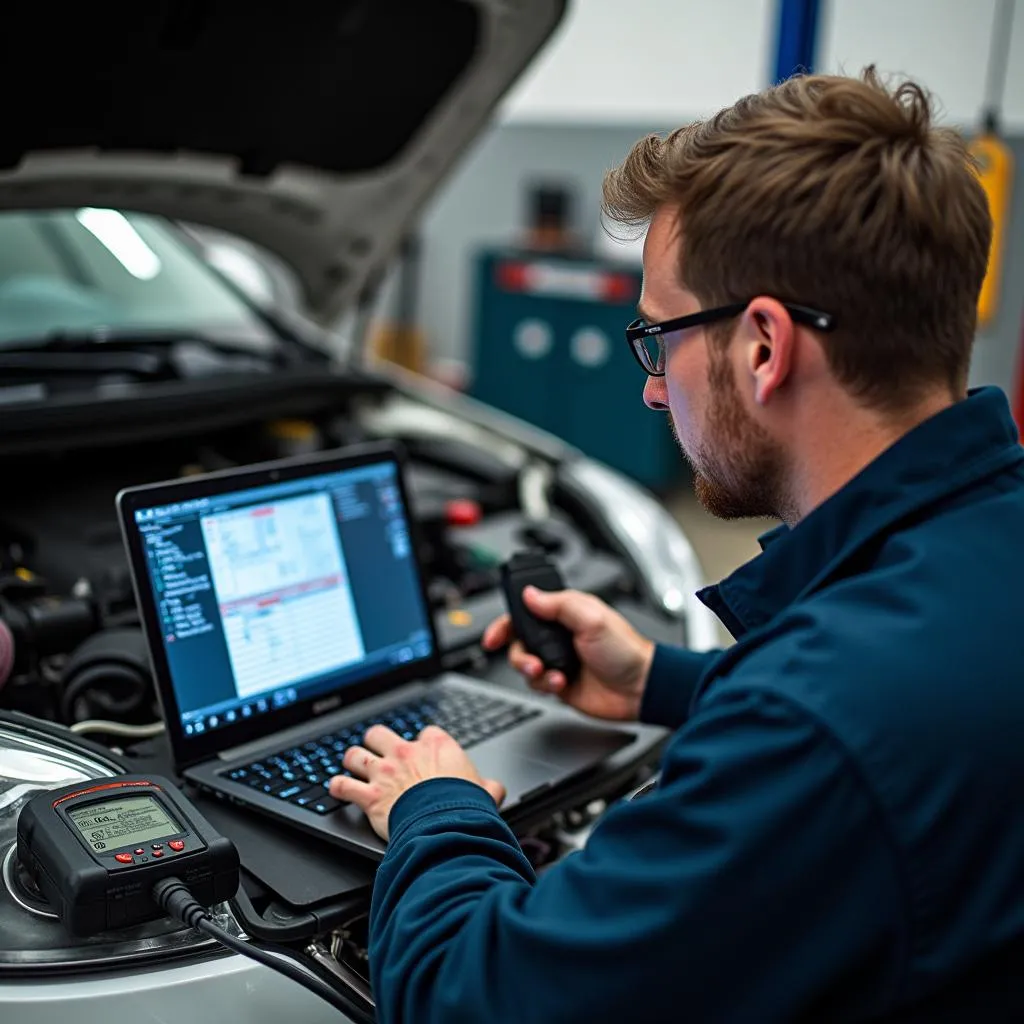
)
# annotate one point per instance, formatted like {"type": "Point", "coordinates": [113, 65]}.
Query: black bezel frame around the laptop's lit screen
{"type": "Point", "coordinates": [193, 750]}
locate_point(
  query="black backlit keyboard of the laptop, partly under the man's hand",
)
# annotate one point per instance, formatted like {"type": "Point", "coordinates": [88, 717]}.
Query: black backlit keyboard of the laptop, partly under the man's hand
{"type": "Point", "coordinates": [302, 775]}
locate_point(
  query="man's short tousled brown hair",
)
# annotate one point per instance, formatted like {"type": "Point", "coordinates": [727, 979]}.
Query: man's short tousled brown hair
{"type": "Point", "coordinates": [835, 193]}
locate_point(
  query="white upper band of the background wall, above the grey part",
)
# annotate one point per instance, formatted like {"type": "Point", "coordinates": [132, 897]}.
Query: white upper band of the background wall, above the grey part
{"type": "Point", "coordinates": [661, 62]}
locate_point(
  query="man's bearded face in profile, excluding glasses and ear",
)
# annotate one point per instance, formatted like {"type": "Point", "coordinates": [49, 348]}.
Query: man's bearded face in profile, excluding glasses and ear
{"type": "Point", "coordinates": [738, 467]}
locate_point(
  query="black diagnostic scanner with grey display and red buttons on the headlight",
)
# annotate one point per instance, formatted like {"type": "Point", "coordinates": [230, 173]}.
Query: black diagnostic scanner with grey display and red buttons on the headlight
{"type": "Point", "coordinates": [97, 850]}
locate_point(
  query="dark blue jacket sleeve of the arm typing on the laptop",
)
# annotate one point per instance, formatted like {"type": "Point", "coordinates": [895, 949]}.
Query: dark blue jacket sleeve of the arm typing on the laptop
{"type": "Point", "coordinates": [755, 882]}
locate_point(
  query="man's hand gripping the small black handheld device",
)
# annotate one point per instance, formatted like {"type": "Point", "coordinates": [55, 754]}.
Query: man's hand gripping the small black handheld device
{"type": "Point", "coordinates": [616, 659]}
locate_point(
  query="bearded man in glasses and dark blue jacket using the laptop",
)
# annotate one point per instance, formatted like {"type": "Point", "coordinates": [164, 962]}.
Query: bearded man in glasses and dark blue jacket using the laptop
{"type": "Point", "coordinates": [838, 833]}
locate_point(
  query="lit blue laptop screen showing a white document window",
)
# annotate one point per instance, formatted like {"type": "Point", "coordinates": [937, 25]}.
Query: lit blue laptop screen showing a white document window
{"type": "Point", "coordinates": [283, 592]}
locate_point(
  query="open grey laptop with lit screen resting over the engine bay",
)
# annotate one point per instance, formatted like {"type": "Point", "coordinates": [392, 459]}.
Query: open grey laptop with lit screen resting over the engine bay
{"type": "Point", "coordinates": [286, 613]}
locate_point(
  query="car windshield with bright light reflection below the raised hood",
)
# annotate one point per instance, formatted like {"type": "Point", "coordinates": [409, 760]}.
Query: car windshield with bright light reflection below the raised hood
{"type": "Point", "coordinates": [77, 271]}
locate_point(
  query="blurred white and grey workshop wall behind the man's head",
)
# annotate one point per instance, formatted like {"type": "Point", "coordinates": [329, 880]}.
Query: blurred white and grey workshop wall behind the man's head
{"type": "Point", "coordinates": [605, 81]}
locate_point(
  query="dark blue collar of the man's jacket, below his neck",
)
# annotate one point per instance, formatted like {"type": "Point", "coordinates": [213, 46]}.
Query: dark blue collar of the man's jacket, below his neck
{"type": "Point", "coordinates": [957, 448]}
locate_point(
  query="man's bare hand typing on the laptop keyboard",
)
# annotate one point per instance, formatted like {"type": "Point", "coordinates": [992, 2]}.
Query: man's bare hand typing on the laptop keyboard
{"type": "Point", "coordinates": [389, 765]}
